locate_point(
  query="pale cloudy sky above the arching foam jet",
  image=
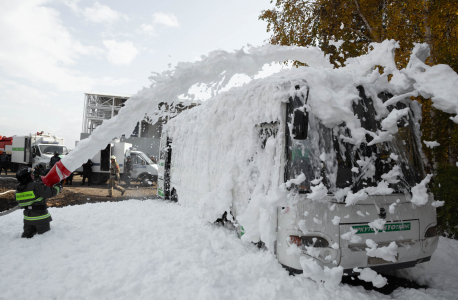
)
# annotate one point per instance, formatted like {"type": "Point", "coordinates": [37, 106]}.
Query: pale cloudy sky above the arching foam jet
{"type": "Point", "coordinates": [52, 52]}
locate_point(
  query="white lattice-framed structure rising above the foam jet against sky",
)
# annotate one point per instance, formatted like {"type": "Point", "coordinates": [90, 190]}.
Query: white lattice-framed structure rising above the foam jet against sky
{"type": "Point", "coordinates": [99, 107]}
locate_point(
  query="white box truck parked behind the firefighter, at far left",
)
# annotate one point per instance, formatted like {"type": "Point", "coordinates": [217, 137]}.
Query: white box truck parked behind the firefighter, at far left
{"type": "Point", "coordinates": [35, 149]}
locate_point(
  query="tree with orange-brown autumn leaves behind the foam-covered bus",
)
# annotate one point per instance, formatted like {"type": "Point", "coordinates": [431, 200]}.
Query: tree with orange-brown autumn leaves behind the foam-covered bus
{"type": "Point", "coordinates": [360, 22]}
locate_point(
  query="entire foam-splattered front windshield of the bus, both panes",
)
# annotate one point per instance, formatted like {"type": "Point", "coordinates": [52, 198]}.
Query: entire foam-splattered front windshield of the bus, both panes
{"type": "Point", "coordinates": [324, 154]}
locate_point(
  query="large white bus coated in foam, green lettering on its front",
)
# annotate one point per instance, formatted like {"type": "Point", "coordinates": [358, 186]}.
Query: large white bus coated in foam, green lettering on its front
{"type": "Point", "coordinates": [295, 177]}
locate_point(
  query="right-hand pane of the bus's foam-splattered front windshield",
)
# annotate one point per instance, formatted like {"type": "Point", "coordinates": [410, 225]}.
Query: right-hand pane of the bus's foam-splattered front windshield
{"type": "Point", "coordinates": [370, 164]}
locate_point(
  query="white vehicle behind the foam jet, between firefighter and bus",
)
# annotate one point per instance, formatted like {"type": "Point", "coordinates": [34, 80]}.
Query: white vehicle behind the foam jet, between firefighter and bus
{"type": "Point", "coordinates": [144, 170]}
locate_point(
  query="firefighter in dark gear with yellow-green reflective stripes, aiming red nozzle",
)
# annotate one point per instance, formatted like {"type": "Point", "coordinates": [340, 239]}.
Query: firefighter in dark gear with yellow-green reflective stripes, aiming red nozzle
{"type": "Point", "coordinates": [32, 196]}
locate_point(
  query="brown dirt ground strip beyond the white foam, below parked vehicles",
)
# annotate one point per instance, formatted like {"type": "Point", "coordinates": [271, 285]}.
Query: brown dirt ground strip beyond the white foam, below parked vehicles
{"type": "Point", "coordinates": [77, 194]}
